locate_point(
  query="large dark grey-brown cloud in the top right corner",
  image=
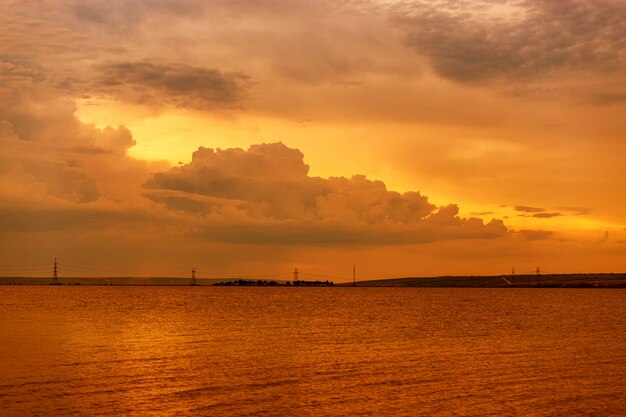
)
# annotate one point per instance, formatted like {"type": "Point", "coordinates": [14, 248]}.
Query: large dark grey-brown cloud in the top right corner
{"type": "Point", "coordinates": [477, 42]}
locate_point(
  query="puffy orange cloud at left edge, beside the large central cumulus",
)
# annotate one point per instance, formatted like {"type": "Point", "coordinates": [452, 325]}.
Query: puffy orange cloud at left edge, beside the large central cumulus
{"type": "Point", "coordinates": [52, 185]}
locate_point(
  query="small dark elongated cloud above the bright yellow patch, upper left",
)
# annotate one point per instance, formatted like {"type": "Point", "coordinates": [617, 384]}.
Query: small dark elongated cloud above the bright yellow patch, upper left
{"type": "Point", "coordinates": [174, 84]}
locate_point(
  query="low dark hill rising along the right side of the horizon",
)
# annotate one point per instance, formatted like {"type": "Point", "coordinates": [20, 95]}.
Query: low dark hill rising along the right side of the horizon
{"type": "Point", "coordinates": [547, 281]}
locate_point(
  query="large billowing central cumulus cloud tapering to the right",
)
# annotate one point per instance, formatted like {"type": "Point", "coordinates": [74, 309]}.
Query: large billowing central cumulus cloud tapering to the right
{"type": "Point", "coordinates": [264, 194]}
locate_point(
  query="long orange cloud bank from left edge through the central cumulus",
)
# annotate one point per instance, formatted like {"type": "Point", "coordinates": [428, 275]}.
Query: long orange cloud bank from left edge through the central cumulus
{"type": "Point", "coordinates": [263, 195]}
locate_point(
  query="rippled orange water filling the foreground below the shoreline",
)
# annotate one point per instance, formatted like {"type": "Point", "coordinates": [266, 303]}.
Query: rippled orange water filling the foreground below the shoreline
{"type": "Point", "coordinates": [311, 351]}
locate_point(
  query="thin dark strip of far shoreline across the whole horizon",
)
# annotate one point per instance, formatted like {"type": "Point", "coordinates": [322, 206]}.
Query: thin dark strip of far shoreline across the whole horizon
{"type": "Point", "coordinates": [615, 280]}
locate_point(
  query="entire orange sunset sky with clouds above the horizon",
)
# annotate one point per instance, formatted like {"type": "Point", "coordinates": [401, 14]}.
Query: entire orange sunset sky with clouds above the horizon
{"type": "Point", "coordinates": [247, 138]}
